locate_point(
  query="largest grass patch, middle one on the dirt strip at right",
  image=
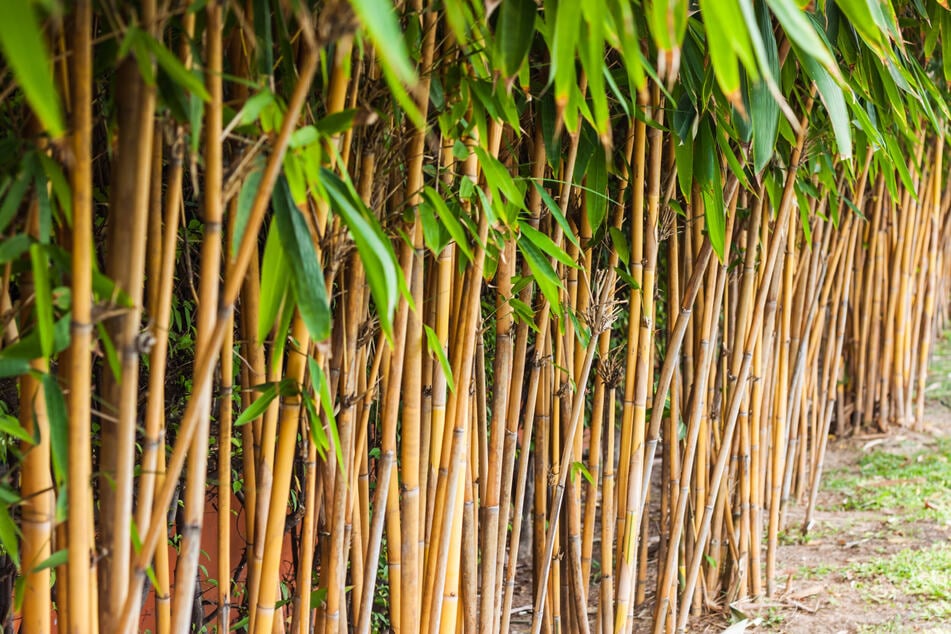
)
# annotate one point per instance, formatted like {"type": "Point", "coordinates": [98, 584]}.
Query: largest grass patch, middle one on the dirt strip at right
{"type": "Point", "coordinates": [918, 484]}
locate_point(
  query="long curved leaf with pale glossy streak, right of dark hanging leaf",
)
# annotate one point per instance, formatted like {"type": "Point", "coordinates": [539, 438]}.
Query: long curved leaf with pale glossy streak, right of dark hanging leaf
{"type": "Point", "coordinates": [383, 272]}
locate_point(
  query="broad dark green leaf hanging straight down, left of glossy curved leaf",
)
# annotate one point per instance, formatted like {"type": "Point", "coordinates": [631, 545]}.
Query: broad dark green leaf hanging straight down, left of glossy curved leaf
{"type": "Point", "coordinates": [307, 277]}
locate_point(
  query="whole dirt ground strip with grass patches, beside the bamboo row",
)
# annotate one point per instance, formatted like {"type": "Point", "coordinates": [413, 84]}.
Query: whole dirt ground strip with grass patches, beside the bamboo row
{"type": "Point", "coordinates": [878, 557]}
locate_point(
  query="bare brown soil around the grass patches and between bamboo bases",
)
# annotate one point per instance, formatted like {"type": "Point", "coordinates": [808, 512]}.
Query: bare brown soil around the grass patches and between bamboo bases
{"type": "Point", "coordinates": [818, 590]}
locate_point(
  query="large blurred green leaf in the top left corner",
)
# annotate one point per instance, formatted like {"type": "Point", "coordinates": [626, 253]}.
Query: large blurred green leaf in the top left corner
{"type": "Point", "coordinates": [24, 47]}
